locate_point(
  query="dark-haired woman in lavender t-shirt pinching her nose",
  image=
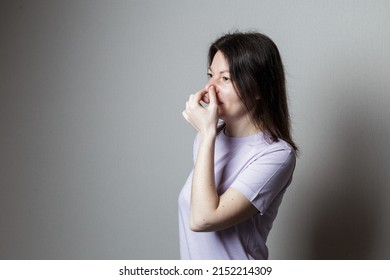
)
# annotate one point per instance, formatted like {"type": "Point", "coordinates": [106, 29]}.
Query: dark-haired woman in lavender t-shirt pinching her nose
{"type": "Point", "coordinates": [244, 155]}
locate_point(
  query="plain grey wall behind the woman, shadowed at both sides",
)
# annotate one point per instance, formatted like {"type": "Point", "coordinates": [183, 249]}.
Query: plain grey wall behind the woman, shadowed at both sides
{"type": "Point", "coordinates": [94, 150]}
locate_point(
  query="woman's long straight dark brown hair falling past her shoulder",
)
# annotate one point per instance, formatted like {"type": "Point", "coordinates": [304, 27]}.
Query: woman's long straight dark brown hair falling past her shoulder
{"type": "Point", "coordinates": [258, 76]}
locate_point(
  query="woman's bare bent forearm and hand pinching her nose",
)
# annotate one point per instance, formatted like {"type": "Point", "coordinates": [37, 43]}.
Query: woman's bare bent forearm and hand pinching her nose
{"type": "Point", "coordinates": [208, 211]}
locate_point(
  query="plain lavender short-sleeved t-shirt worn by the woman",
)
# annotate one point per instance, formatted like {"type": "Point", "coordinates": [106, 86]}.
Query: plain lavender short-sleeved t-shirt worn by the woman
{"type": "Point", "coordinates": [261, 170]}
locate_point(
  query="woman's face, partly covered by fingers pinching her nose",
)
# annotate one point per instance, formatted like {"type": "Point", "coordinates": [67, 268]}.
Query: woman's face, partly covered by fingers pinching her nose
{"type": "Point", "coordinates": [230, 106]}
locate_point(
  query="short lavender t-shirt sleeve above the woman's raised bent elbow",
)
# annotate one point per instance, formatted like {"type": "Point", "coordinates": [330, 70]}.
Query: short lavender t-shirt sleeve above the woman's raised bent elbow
{"type": "Point", "coordinates": [265, 177]}
